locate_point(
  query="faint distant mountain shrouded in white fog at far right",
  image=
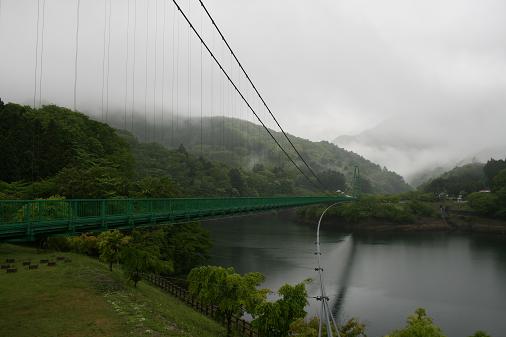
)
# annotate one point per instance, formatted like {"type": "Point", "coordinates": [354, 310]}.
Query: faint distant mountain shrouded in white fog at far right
{"type": "Point", "coordinates": [424, 146]}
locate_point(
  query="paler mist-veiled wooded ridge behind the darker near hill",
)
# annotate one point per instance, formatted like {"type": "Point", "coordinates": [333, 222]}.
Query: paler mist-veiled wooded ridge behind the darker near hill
{"type": "Point", "coordinates": [240, 143]}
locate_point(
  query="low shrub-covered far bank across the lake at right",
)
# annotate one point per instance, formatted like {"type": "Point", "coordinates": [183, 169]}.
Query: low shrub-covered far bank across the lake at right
{"type": "Point", "coordinates": [381, 214]}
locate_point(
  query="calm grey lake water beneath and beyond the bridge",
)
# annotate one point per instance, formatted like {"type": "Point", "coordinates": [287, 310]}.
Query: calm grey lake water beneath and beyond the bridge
{"type": "Point", "coordinates": [379, 278]}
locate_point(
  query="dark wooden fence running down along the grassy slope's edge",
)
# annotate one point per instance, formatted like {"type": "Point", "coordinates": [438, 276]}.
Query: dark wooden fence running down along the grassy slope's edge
{"type": "Point", "coordinates": [241, 327]}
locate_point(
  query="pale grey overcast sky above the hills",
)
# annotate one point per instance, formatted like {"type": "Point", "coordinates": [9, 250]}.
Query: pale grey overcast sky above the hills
{"type": "Point", "coordinates": [432, 72]}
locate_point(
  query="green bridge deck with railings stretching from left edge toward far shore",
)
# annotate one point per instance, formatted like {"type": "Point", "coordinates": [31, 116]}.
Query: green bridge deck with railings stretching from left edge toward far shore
{"type": "Point", "coordinates": [28, 220]}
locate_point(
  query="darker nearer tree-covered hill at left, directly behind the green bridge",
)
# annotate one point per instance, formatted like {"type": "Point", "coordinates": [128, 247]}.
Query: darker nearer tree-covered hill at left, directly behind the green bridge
{"type": "Point", "coordinates": [55, 151]}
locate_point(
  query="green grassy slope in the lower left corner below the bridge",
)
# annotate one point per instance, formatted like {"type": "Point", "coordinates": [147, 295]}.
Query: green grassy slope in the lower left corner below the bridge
{"type": "Point", "coordinates": [83, 298]}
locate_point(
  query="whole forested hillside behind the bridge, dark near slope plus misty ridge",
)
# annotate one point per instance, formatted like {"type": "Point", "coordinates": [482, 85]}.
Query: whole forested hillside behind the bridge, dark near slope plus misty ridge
{"type": "Point", "coordinates": [55, 151]}
